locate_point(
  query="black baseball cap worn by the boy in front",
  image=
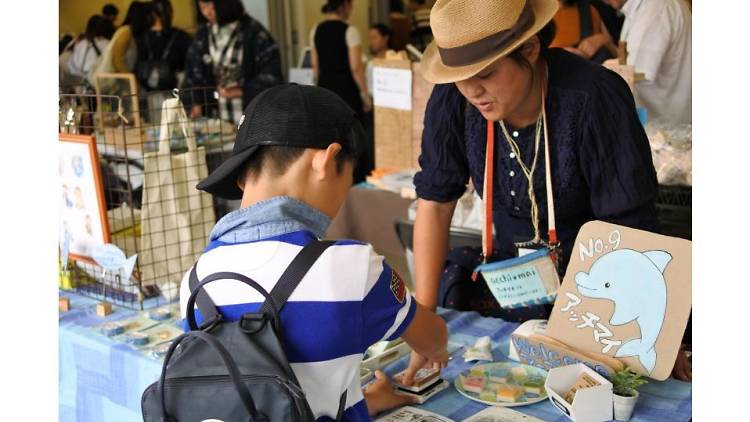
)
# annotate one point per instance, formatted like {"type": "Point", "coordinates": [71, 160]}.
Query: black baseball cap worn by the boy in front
{"type": "Point", "coordinates": [287, 115]}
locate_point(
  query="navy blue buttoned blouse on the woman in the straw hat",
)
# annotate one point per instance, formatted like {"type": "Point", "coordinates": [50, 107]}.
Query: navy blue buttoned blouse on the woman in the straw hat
{"type": "Point", "coordinates": [601, 159]}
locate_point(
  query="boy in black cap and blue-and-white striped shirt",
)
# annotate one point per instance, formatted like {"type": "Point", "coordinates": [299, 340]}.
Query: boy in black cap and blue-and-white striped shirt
{"type": "Point", "coordinates": [292, 166]}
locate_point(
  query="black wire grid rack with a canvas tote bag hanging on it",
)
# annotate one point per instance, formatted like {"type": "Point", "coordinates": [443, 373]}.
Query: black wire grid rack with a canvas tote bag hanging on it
{"type": "Point", "coordinates": [126, 129]}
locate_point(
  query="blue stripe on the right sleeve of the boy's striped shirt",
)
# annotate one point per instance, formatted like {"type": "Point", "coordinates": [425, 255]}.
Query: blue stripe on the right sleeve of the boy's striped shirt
{"type": "Point", "coordinates": [379, 309]}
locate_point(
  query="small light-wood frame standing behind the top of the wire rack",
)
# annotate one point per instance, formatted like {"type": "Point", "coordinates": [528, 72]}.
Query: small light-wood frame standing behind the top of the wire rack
{"type": "Point", "coordinates": [115, 90]}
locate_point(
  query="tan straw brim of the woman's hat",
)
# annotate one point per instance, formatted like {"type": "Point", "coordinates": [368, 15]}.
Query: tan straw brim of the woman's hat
{"type": "Point", "coordinates": [433, 69]}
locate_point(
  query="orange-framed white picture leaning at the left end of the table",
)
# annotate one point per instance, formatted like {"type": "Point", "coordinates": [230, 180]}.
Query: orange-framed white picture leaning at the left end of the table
{"type": "Point", "coordinates": [83, 216]}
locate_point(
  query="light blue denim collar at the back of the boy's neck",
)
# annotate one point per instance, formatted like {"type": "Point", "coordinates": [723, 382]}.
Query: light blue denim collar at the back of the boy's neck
{"type": "Point", "coordinates": [271, 217]}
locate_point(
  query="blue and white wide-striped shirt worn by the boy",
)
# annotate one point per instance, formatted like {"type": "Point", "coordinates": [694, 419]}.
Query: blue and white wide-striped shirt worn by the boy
{"type": "Point", "coordinates": [348, 300]}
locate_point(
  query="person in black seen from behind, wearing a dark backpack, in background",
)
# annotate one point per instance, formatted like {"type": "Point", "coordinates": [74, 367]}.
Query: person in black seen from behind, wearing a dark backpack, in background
{"type": "Point", "coordinates": [161, 50]}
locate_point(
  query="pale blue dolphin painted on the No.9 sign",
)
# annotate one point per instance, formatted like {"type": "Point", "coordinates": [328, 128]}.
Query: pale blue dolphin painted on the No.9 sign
{"type": "Point", "coordinates": [634, 281]}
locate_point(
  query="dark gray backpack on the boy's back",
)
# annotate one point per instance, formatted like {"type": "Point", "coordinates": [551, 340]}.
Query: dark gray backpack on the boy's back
{"type": "Point", "coordinates": [233, 371]}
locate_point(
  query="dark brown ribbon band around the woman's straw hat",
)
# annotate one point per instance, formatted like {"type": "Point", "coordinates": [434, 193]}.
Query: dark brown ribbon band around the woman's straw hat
{"type": "Point", "coordinates": [477, 50]}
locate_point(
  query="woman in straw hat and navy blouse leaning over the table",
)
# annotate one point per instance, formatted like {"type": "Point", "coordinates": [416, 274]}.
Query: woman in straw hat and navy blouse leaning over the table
{"type": "Point", "coordinates": [493, 65]}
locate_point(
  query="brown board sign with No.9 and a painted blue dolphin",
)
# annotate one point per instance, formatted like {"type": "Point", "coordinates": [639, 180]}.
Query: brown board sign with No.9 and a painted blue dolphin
{"type": "Point", "coordinates": [626, 294]}
